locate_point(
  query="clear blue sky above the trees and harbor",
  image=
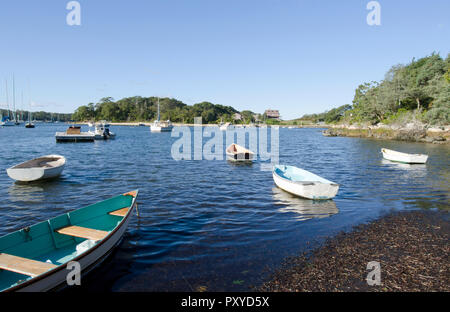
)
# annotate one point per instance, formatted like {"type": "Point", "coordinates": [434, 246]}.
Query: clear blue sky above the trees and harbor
{"type": "Point", "coordinates": [292, 55]}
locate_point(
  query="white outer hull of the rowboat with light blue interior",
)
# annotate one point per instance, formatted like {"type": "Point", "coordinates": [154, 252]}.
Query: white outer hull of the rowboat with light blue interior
{"type": "Point", "coordinates": [309, 190]}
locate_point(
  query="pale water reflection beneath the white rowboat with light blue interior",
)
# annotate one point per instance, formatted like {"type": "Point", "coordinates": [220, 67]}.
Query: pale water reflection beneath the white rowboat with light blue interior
{"type": "Point", "coordinates": [304, 208]}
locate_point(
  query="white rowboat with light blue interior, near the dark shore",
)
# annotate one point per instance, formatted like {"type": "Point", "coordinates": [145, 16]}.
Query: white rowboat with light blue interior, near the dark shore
{"type": "Point", "coordinates": [303, 183]}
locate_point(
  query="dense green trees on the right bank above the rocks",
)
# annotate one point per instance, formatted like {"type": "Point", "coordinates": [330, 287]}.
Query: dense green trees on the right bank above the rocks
{"type": "Point", "coordinates": [419, 90]}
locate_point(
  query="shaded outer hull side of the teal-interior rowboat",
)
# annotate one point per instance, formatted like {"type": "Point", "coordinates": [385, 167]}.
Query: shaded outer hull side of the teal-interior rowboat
{"type": "Point", "coordinates": [57, 278]}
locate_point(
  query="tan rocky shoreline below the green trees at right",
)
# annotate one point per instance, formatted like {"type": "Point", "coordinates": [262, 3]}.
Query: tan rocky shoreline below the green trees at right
{"type": "Point", "coordinates": [410, 132]}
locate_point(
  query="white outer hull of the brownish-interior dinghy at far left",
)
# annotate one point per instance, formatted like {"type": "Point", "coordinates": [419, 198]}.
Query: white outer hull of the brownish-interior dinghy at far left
{"type": "Point", "coordinates": [36, 173]}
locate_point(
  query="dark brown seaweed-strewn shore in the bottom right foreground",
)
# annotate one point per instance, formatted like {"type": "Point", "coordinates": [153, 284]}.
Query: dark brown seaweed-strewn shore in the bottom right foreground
{"type": "Point", "coordinates": [411, 247]}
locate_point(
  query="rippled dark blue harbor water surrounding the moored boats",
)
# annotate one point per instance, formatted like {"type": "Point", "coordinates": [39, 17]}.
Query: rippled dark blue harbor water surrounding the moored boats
{"type": "Point", "coordinates": [212, 225]}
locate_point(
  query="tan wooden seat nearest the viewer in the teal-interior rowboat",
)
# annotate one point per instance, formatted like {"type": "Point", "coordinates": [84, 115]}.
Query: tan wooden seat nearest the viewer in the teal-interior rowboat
{"type": "Point", "coordinates": [23, 265]}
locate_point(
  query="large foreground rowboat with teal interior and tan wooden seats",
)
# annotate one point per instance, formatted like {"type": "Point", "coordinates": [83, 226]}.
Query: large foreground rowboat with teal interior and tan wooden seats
{"type": "Point", "coordinates": [36, 258]}
